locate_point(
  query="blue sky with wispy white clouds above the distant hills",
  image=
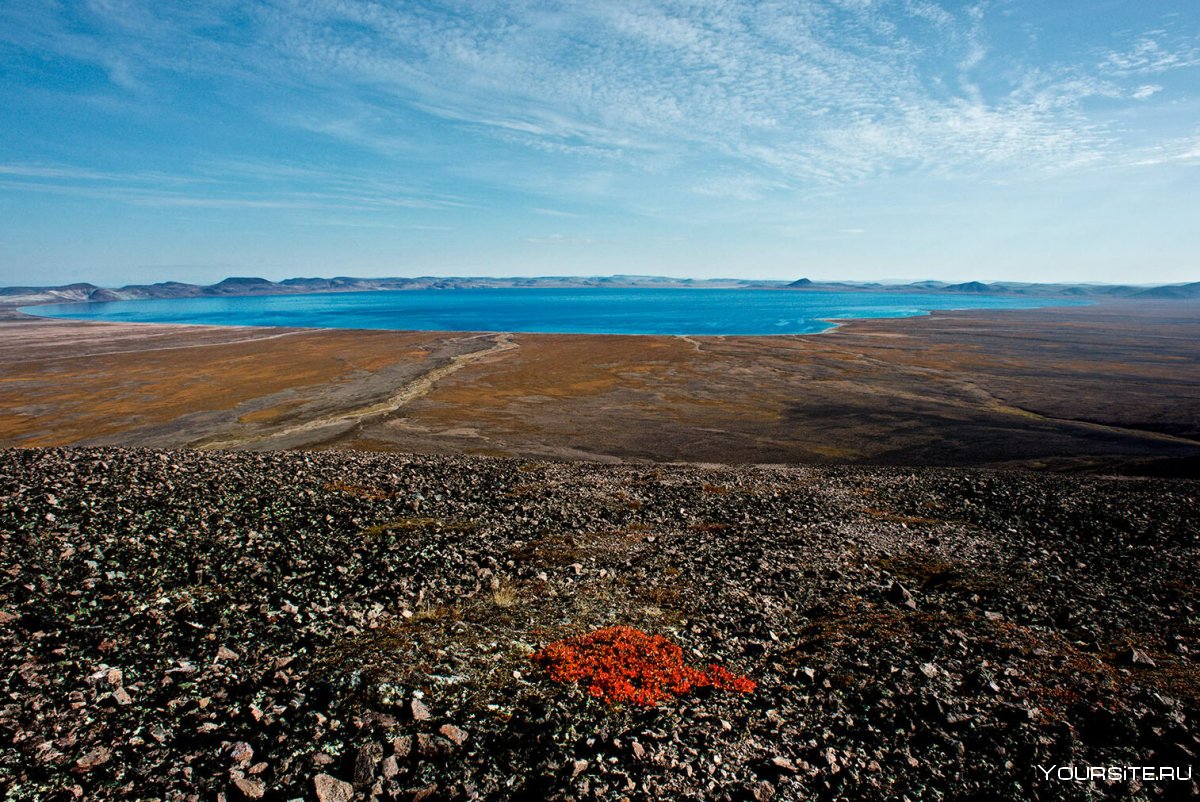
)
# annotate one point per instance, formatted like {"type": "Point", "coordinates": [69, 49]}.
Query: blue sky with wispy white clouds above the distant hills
{"type": "Point", "coordinates": [148, 141]}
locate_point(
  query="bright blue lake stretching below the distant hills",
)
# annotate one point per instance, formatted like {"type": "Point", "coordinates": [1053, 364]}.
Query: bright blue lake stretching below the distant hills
{"type": "Point", "coordinates": [565, 312]}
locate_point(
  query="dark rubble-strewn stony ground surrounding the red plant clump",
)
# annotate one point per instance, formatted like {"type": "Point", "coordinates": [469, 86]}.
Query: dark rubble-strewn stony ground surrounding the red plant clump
{"type": "Point", "coordinates": [335, 626]}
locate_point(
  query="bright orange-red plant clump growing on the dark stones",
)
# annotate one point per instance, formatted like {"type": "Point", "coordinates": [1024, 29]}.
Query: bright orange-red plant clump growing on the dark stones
{"type": "Point", "coordinates": [622, 665]}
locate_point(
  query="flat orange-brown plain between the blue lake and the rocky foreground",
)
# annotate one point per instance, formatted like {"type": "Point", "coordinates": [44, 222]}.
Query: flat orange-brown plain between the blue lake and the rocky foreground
{"type": "Point", "coordinates": [1113, 387]}
